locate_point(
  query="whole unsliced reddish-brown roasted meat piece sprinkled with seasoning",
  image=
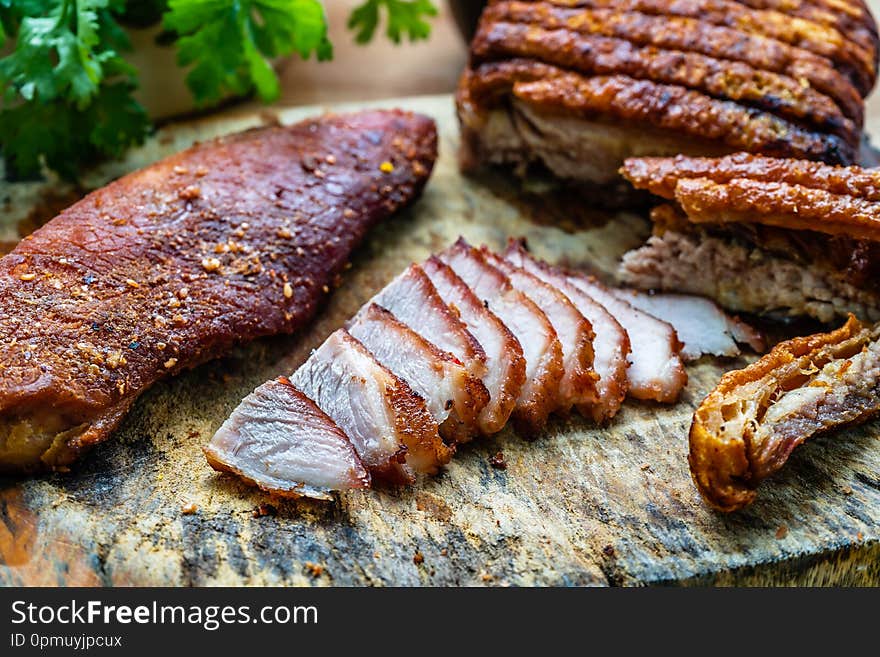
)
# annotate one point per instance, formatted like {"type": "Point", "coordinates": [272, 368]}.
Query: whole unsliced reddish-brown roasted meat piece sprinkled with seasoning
{"type": "Point", "coordinates": [149, 275]}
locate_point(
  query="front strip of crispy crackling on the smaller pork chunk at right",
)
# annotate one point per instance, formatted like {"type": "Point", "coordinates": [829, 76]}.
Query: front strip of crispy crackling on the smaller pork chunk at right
{"type": "Point", "coordinates": [778, 204]}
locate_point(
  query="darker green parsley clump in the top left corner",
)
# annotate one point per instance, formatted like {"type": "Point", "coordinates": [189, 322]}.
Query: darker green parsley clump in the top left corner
{"type": "Point", "coordinates": [66, 90]}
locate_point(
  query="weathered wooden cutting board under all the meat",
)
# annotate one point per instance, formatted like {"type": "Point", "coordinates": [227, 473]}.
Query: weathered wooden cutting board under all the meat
{"type": "Point", "coordinates": [580, 505]}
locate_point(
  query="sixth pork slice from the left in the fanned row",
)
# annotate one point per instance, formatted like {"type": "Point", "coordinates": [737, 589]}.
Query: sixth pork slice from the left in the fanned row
{"type": "Point", "coordinates": [541, 348]}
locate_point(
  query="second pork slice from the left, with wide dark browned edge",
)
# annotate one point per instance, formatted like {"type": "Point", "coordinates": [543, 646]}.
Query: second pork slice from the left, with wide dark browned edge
{"type": "Point", "coordinates": [388, 424]}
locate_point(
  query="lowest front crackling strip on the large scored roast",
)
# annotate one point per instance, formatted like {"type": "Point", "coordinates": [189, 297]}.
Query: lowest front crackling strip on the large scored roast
{"type": "Point", "coordinates": [668, 107]}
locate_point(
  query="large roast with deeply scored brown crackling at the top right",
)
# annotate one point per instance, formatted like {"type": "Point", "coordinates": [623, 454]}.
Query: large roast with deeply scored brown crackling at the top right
{"type": "Point", "coordinates": [577, 87]}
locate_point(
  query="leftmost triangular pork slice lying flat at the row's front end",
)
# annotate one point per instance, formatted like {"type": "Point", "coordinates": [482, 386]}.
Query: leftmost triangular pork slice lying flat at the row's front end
{"type": "Point", "coordinates": [278, 440]}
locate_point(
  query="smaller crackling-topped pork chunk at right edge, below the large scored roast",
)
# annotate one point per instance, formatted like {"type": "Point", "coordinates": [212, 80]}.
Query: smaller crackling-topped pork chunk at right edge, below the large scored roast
{"type": "Point", "coordinates": [762, 235]}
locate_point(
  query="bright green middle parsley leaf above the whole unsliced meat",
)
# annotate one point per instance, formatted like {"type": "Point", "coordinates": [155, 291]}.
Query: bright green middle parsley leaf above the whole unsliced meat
{"type": "Point", "coordinates": [228, 43]}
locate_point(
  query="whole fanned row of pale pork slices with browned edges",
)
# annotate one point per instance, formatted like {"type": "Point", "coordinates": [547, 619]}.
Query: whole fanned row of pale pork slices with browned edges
{"type": "Point", "coordinates": [396, 382]}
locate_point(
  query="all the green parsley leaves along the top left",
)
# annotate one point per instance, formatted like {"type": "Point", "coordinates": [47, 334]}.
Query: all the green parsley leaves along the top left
{"type": "Point", "coordinates": [66, 91]}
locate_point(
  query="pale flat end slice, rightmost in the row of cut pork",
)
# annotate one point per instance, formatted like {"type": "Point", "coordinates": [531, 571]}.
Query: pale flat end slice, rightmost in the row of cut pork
{"type": "Point", "coordinates": [702, 327]}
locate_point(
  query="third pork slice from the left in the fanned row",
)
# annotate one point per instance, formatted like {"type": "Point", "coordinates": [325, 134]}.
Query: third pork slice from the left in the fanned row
{"type": "Point", "coordinates": [451, 394]}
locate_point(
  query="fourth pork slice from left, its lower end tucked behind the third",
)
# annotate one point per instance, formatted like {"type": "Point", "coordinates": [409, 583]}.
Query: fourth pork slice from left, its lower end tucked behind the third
{"type": "Point", "coordinates": [412, 298]}
